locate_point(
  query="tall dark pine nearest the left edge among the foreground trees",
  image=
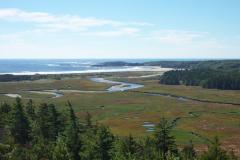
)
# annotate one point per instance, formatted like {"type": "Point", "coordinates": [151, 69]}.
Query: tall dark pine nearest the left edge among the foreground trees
{"type": "Point", "coordinates": [20, 128]}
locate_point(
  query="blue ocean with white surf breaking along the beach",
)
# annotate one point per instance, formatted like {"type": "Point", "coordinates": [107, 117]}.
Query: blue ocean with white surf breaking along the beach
{"type": "Point", "coordinates": [59, 66]}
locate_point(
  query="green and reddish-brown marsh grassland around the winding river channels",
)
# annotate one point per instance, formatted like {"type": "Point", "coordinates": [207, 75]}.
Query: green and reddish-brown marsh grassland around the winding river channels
{"type": "Point", "coordinates": [126, 112]}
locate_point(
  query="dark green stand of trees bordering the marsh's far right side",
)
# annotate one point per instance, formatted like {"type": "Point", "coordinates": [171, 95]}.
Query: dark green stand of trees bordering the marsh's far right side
{"type": "Point", "coordinates": [205, 77]}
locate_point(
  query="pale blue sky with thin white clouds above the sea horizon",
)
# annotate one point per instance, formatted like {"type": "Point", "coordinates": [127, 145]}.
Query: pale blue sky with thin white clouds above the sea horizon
{"type": "Point", "coordinates": [166, 29]}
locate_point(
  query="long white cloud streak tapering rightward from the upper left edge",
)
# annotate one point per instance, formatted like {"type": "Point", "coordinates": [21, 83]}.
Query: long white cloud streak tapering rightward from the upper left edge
{"type": "Point", "coordinates": [54, 22]}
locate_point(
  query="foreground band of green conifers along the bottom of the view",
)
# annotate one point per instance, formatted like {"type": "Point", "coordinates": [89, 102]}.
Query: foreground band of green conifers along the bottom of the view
{"type": "Point", "coordinates": [29, 132]}
